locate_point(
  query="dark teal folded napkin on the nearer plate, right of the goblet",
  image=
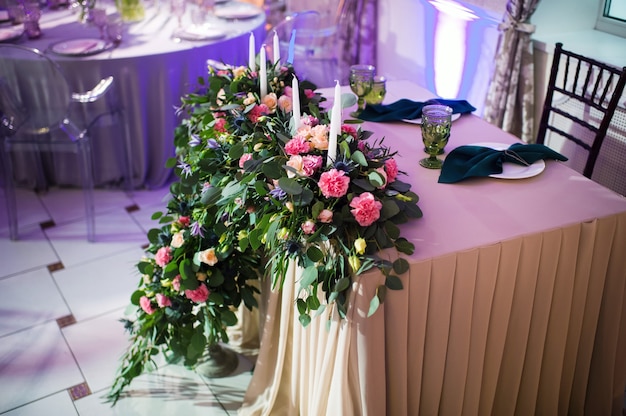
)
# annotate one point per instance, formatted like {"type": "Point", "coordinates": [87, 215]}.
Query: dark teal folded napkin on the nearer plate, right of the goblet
{"type": "Point", "coordinates": [469, 161]}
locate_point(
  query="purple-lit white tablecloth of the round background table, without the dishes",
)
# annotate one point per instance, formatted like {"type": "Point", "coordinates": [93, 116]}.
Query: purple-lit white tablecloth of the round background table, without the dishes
{"type": "Point", "coordinates": [151, 70]}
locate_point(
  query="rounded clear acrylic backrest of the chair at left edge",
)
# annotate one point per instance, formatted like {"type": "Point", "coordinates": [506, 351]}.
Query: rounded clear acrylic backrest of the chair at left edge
{"type": "Point", "coordinates": [37, 85]}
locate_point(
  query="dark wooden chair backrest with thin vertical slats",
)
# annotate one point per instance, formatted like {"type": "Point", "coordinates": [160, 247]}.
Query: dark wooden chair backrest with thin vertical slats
{"type": "Point", "coordinates": [581, 98]}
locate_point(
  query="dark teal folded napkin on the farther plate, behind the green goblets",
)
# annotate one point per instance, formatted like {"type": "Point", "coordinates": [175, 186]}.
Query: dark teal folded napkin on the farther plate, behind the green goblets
{"type": "Point", "coordinates": [406, 109]}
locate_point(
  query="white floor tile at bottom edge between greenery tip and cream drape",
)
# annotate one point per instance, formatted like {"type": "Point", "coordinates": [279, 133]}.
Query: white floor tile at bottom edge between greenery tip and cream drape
{"type": "Point", "coordinates": [172, 390]}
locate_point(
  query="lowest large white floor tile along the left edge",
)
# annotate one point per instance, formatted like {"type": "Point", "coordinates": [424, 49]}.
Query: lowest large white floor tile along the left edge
{"type": "Point", "coordinates": [35, 363]}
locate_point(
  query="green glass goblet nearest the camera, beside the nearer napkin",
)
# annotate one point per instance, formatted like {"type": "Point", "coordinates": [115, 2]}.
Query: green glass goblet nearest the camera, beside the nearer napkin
{"type": "Point", "coordinates": [436, 122]}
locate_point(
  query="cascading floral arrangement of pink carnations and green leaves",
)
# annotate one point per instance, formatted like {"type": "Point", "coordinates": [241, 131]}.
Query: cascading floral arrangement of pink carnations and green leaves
{"type": "Point", "coordinates": [257, 191]}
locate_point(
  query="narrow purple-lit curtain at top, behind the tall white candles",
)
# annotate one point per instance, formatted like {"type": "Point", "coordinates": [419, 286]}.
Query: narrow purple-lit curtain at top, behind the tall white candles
{"type": "Point", "coordinates": [358, 31]}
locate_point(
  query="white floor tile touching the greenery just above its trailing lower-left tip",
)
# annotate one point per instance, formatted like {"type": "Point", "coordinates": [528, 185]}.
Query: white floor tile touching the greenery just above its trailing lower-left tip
{"type": "Point", "coordinates": [97, 345]}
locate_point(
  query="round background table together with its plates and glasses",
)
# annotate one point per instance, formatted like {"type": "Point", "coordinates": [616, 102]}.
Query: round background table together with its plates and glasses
{"type": "Point", "coordinates": [152, 66]}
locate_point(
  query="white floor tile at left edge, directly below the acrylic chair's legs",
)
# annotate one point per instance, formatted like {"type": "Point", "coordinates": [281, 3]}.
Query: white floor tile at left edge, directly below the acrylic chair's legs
{"type": "Point", "coordinates": [31, 251]}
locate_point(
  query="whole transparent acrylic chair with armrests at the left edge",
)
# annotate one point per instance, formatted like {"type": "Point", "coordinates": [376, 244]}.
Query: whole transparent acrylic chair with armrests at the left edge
{"type": "Point", "coordinates": [40, 113]}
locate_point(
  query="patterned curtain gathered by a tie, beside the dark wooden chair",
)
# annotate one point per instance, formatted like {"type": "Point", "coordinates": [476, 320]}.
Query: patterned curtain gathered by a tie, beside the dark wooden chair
{"type": "Point", "coordinates": [509, 104]}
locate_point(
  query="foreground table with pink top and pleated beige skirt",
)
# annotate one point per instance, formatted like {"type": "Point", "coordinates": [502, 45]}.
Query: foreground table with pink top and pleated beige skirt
{"type": "Point", "coordinates": [514, 302]}
